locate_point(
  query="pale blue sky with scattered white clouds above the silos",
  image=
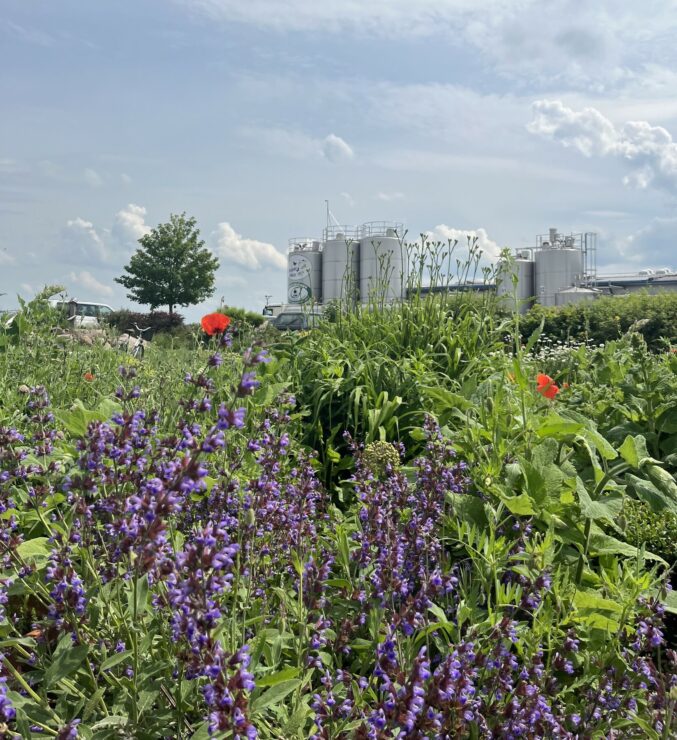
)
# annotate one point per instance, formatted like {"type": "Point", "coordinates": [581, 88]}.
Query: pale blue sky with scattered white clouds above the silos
{"type": "Point", "coordinates": [494, 118]}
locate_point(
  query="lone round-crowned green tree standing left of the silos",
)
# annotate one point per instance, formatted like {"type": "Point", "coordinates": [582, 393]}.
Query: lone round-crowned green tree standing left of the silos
{"type": "Point", "coordinates": [172, 267]}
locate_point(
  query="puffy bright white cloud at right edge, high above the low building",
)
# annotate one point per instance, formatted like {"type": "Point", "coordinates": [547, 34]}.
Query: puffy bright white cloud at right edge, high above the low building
{"type": "Point", "coordinates": [648, 151]}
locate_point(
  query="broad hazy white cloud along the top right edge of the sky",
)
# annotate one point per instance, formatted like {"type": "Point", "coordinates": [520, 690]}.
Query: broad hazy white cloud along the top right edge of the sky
{"type": "Point", "coordinates": [588, 45]}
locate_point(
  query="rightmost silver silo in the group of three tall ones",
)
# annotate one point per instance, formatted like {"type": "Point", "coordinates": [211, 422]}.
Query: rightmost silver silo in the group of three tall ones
{"type": "Point", "coordinates": [383, 262]}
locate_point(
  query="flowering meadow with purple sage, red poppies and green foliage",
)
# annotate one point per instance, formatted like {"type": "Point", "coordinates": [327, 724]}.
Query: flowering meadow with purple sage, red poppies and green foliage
{"type": "Point", "coordinates": [430, 520]}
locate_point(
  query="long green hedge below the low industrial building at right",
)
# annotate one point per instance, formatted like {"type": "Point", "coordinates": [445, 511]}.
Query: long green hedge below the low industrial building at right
{"type": "Point", "coordinates": [609, 317]}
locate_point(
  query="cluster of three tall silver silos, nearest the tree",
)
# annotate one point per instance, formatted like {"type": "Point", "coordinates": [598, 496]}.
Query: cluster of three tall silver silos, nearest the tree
{"type": "Point", "coordinates": [351, 264]}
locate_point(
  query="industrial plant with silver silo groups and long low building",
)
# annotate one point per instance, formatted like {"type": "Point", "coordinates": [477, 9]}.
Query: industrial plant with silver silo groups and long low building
{"type": "Point", "coordinates": [359, 264]}
